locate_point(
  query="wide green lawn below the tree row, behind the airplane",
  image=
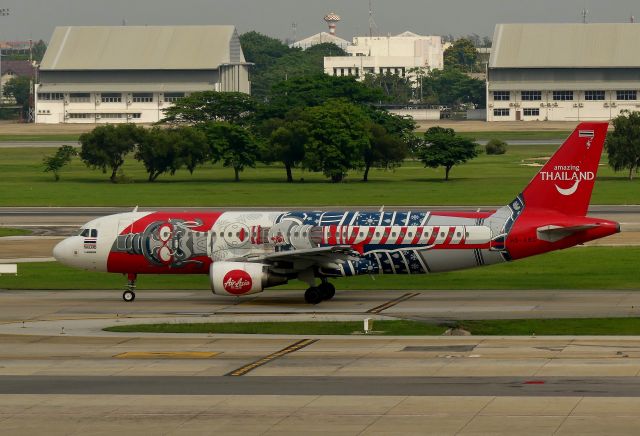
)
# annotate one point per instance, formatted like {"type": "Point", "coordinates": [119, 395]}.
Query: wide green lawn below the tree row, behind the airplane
{"type": "Point", "coordinates": [487, 180]}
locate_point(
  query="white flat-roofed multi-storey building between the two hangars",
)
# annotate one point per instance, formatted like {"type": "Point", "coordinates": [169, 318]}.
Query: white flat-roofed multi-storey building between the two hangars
{"type": "Point", "coordinates": [401, 54]}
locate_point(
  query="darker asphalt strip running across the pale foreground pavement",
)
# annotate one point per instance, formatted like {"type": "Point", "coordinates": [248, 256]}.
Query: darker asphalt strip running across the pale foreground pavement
{"type": "Point", "coordinates": [354, 386]}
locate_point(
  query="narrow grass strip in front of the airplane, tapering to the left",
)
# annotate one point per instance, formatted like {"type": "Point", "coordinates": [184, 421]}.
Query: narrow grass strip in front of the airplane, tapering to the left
{"type": "Point", "coordinates": [526, 327]}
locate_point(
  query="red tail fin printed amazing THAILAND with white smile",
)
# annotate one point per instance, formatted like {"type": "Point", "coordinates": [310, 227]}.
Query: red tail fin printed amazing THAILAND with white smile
{"type": "Point", "coordinates": [565, 182]}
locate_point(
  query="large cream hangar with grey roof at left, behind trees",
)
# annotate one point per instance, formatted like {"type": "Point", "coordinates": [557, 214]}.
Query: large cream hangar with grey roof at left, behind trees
{"type": "Point", "coordinates": [133, 73]}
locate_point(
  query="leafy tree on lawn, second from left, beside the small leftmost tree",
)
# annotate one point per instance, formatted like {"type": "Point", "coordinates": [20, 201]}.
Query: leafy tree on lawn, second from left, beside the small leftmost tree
{"type": "Point", "coordinates": [105, 147]}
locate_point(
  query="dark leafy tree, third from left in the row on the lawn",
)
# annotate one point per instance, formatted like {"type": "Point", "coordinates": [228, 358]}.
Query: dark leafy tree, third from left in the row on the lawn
{"type": "Point", "coordinates": [158, 152]}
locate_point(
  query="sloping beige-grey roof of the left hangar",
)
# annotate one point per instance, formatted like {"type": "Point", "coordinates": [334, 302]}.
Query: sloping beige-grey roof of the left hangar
{"type": "Point", "coordinates": [142, 48]}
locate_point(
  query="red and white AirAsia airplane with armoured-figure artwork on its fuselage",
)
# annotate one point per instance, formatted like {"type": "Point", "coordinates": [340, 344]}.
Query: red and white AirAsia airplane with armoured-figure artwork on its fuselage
{"type": "Point", "coordinates": [246, 252]}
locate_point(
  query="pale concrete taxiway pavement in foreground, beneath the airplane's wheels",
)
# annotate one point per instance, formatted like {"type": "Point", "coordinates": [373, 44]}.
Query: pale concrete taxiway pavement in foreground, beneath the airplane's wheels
{"type": "Point", "coordinates": [61, 374]}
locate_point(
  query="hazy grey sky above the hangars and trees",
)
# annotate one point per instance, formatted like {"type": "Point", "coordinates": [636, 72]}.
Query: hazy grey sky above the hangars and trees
{"type": "Point", "coordinates": [36, 19]}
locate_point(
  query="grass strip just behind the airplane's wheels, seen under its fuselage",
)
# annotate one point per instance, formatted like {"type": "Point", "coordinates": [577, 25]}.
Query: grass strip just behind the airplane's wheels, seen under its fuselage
{"type": "Point", "coordinates": [576, 268]}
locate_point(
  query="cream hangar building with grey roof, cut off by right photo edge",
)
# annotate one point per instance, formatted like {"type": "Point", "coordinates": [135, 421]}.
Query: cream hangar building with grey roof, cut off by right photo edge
{"type": "Point", "coordinates": [563, 72]}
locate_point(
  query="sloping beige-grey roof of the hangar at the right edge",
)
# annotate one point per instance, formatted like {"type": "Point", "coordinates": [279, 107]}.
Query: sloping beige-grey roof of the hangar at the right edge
{"type": "Point", "coordinates": [566, 45]}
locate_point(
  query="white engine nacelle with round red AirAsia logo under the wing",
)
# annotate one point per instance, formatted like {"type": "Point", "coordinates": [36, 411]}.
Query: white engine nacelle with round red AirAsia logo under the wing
{"type": "Point", "coordinates": [242, 278]}
